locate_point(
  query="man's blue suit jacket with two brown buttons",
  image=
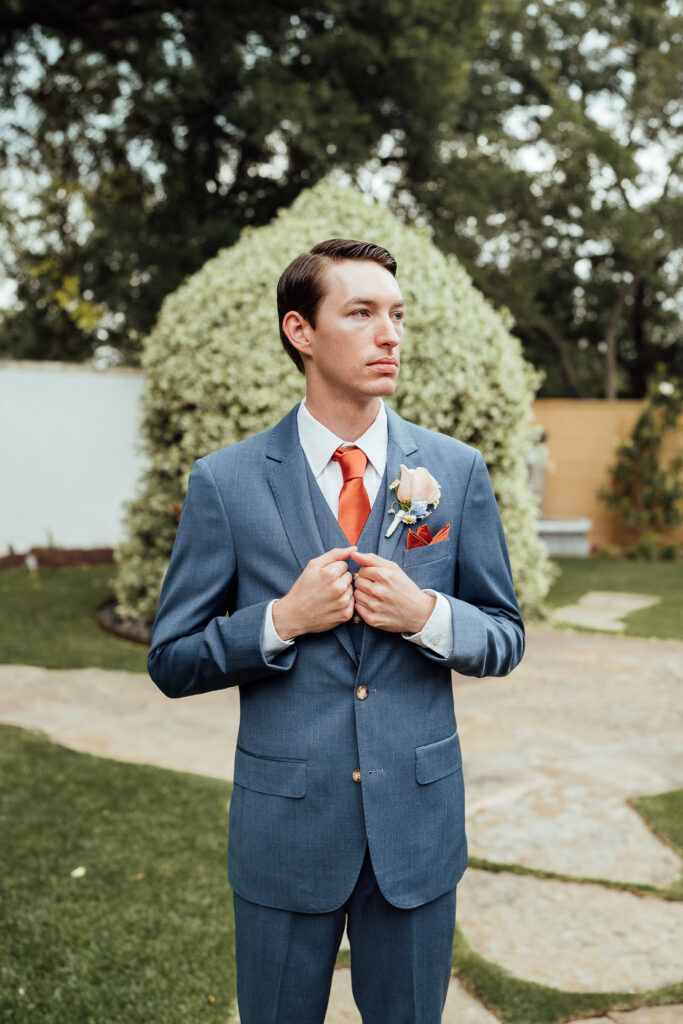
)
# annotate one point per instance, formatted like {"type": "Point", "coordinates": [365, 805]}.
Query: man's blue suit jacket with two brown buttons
{"type": "Point", "coordinates": [300, 822]}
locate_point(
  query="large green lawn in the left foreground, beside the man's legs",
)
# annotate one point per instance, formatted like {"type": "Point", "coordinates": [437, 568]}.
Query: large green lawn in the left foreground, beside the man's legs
{"type": "Point", "coordinates": [146, 936]}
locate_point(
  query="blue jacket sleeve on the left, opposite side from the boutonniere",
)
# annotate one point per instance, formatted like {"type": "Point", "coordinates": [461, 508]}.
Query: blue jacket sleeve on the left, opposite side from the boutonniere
{"type": "Point", "coordinates": [195, 648]}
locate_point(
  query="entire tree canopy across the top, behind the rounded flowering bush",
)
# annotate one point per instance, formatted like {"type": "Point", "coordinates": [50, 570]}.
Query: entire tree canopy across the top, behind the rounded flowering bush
{"type": "Point", "coordinates": [540, 139]}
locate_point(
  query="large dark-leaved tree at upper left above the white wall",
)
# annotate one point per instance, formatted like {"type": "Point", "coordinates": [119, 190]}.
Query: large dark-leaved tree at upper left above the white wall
{"type": "Point", "coordinates": [145, 136]}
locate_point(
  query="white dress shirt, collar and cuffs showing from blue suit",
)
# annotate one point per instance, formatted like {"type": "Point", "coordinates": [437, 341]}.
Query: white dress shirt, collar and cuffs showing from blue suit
{"type": "Point", "coordinates": [319, 444]}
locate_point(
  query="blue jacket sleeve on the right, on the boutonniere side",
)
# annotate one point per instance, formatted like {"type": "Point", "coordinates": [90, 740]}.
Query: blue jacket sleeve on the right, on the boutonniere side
{"type": "Point", "coordinates": [488, 628]}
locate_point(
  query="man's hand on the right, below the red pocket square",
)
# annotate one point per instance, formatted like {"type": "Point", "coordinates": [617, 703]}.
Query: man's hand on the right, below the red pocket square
{"type": "Point", "coordinates": [388, 599]}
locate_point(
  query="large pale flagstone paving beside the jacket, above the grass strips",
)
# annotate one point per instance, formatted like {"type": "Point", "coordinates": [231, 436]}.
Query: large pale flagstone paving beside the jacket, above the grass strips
{"type": "Point", "coordinates": [553, 753]}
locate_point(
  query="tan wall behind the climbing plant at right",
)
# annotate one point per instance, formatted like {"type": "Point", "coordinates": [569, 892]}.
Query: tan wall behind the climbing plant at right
{"type": "Point", "coordinates": [582, 438]}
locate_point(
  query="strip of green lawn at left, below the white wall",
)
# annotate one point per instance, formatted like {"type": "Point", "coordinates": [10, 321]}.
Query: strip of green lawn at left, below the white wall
{"type": "Point", "coordinates": [50, 621]}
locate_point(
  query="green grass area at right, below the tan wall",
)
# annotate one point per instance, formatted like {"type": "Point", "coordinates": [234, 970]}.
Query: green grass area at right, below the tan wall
{"type": "Point", "coordinates": [663, 580]}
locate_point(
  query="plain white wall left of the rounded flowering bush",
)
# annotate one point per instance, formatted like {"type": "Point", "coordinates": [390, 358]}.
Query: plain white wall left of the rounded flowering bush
{"type": "Point", "coordinates": [69, 453]}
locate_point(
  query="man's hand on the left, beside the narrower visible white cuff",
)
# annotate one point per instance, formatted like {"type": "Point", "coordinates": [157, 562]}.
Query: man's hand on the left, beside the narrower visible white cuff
{"type": "Point", "coordinates": [321, 599]}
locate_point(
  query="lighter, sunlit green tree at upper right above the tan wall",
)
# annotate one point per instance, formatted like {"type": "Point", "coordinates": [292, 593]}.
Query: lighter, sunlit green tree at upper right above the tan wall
{"type": "Point", "coordinates": [561, 189]}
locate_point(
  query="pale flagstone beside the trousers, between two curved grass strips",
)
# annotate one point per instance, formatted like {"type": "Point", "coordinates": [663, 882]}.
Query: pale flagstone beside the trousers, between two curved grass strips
{"type": "Point", "coordinates": [580, 938]}
